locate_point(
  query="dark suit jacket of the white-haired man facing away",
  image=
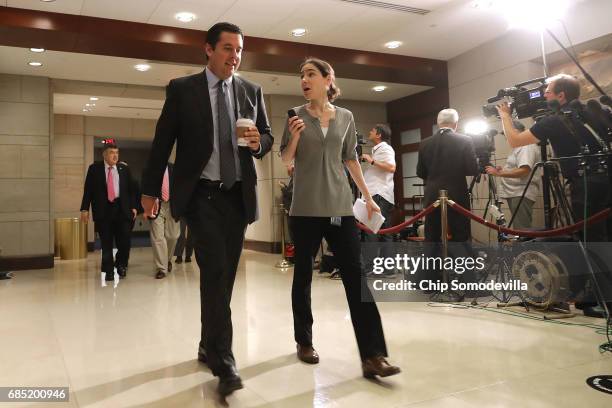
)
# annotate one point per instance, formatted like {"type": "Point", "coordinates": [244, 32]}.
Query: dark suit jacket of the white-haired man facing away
{"type": "Point", "coordinates": [445, 159]}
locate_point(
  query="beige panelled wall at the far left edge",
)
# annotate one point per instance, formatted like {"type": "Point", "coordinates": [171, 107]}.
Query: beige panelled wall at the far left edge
{"type": "Point", "coordinates": [25, 176]}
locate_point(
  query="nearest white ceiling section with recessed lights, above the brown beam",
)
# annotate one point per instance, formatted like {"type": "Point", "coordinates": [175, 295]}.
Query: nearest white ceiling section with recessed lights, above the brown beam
{"type": "Point", "coordinates": [451, 28]}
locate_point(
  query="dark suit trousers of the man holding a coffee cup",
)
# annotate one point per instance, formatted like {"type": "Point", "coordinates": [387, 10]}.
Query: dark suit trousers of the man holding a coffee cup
{"type": "Point", "coordinates": [217, 221]}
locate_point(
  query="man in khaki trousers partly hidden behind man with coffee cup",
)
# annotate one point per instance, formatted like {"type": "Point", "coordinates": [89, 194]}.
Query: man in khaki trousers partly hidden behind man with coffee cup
{"type": "Point", "coordinates": [164, 229]}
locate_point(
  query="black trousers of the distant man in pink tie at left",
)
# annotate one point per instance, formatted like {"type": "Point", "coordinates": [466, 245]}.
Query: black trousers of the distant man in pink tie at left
{"type": "Point", "coordinates": [114, 230]}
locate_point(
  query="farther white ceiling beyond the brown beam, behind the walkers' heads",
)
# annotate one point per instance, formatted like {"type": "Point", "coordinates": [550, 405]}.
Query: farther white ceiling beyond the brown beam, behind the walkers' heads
{"type": "Point", "coordinates": [104, 69]}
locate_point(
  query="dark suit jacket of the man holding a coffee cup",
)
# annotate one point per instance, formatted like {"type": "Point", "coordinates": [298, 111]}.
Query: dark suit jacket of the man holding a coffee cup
{"type": "Point", "coordinates": [187, 119]}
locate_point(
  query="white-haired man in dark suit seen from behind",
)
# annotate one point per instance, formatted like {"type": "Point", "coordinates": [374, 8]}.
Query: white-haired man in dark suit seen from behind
{"type": "Point", "coordinates": [445, 159]}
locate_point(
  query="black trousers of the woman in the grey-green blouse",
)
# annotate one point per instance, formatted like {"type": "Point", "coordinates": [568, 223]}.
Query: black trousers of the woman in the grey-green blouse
{"type": "Point", "coordinates": [344, 239]}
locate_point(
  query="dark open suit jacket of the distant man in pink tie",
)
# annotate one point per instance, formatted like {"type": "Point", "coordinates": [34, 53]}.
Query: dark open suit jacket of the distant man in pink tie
{"type": "Point", "coordinates": [95, 193]}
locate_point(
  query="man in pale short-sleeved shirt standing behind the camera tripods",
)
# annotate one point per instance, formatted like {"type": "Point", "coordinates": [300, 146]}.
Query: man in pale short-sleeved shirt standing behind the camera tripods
{"type": "Point", "coordinates": [513, 179]}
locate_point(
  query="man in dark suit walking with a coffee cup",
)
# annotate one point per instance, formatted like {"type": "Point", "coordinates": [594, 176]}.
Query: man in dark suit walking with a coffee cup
{"type": "Point", "coordinates": [214, 184]}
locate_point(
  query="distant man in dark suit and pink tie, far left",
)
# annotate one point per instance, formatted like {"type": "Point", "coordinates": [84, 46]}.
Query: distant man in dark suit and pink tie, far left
{"type": "Point", "coordinates": [109, 191]}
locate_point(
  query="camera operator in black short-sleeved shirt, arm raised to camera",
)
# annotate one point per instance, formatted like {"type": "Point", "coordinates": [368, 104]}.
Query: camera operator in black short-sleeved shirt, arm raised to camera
{"type": "Point", "coordinates": [567, 135]}
